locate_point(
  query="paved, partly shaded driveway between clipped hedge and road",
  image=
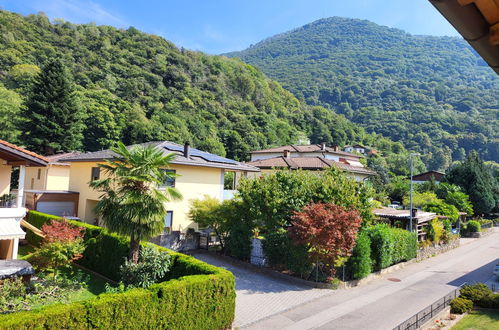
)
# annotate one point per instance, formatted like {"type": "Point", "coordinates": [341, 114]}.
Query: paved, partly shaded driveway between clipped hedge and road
{"type": "Point", "coordinates": [260, 295]}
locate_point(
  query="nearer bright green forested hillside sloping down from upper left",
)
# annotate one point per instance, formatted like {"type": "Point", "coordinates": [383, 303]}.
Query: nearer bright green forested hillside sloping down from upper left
{"type": "Point", "coordinates": [137, 87]}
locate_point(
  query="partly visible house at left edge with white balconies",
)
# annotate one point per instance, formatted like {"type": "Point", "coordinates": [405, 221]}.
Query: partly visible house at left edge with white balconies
{"type": "Point", "coordinates": [12, 209]}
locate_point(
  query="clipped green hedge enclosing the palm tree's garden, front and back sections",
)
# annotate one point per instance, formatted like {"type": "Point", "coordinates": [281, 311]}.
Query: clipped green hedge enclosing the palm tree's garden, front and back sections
{"type": "Point", "coordinates": [194, 295]}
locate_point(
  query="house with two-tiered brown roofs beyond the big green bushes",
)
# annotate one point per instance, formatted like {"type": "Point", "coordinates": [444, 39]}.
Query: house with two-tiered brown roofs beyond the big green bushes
{"type": "Point", "coordinates": [313, 157]}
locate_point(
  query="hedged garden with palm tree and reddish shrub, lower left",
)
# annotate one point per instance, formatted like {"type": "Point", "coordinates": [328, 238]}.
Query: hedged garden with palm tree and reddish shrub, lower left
{"type": "Point", "coordinates": [147, 286]}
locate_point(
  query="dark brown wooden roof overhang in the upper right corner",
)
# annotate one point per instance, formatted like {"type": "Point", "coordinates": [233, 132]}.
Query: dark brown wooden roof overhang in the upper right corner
{"type": "Point", "coordinates": [478, 22]}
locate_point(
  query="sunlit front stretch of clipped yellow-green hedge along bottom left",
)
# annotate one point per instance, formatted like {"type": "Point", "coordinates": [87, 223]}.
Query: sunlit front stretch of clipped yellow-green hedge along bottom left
{"type": "Point", "coordinates": [192, 302]}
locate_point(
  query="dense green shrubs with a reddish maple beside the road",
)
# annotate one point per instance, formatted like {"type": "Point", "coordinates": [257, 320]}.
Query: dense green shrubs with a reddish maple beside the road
{"type": "Point", "coordinates": [314, 225]}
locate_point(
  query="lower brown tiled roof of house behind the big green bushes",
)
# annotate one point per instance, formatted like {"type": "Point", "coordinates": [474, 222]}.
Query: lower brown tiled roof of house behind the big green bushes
{"type": "Point", "coordinates": [308, 163]}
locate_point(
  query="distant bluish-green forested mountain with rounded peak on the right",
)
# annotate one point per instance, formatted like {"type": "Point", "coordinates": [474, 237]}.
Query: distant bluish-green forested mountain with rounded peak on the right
{"type": "Point", "coordinates": [435, 94]}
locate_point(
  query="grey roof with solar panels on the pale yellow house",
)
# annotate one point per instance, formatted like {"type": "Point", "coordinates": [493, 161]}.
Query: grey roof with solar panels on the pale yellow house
{"type": "Point", "coordinates": [196, 157]}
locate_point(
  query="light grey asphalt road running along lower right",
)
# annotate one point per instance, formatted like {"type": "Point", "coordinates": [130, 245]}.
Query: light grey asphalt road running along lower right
{"type": "Point", "coordinates": [383, 303]}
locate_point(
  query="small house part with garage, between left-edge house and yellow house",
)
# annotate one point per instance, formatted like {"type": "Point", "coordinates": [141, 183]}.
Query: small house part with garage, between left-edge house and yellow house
{"type": "Point", "coordinates": [47, 188]}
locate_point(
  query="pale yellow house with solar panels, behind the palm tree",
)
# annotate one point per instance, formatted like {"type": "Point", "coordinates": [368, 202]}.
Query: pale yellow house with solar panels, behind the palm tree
{"type": "Point", "coordinates": [198, 174]}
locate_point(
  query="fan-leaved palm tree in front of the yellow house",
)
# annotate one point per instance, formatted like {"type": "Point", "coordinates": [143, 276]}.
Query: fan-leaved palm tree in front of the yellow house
{"type": "Point", "coordinates": [131, 203]}
